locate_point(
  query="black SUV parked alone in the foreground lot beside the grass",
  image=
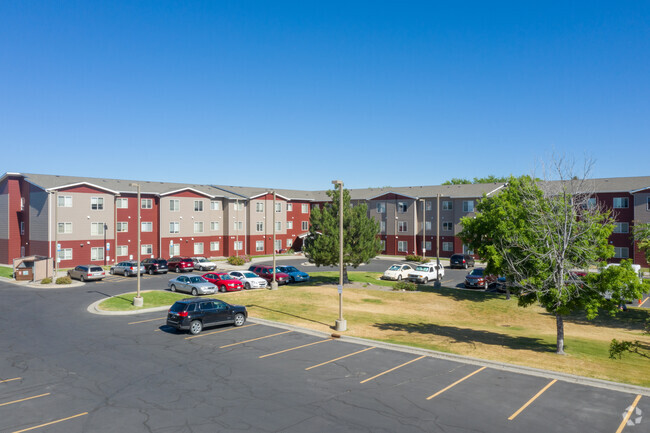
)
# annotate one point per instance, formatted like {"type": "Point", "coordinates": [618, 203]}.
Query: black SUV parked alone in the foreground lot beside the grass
{"type": "Point", "coordinates": [194, 314]}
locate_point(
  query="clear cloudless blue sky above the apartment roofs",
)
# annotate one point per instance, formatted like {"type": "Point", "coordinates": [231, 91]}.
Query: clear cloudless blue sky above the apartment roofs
{"type": "Point", "coordinates": [293, 94]}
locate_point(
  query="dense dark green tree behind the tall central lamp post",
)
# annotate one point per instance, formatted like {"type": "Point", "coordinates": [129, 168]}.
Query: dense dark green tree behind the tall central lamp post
{"type": "Point", "coordinates": [360, 234]}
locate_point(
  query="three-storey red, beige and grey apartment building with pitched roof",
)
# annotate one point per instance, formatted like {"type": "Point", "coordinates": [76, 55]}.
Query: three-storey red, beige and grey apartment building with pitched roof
{"type": "Point", "coordinates": [92, 220]}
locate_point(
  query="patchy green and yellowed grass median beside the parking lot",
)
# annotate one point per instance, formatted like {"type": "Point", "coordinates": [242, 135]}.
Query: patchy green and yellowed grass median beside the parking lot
{"type": "Point", "coordinates": [479, 324]}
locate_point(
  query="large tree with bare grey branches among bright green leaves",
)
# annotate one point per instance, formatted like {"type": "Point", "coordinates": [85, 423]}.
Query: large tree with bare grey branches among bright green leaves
{"type": "Point", "coordinates": [538, 234]}
